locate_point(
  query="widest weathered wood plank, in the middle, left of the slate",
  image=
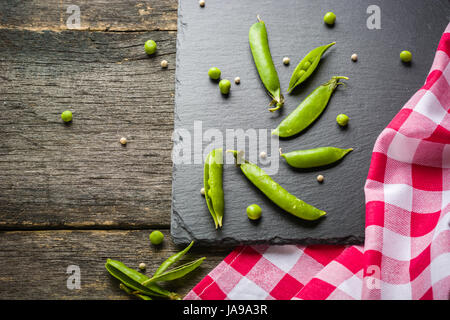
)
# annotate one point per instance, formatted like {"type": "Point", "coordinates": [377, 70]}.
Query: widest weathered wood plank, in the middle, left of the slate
{"type": "Point", "coordinates": [78, 175]}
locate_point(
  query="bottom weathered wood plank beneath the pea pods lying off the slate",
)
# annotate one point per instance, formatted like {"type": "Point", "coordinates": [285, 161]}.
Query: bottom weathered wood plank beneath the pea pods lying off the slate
{"type": "Point", "coordinates": [34, 263]}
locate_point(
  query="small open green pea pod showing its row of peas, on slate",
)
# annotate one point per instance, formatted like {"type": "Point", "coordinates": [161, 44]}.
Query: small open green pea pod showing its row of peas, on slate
{"type": "Point", "coordinates": [307, 66]}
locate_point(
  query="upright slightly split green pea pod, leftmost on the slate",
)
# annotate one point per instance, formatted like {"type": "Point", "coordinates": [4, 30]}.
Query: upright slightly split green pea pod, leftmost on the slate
{"type": "Point", "coordinates": [213, 185]}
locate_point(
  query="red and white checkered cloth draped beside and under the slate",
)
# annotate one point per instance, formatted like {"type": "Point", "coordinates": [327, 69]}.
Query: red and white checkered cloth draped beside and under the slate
{"type": "Point", "coordinates": [406, 254]}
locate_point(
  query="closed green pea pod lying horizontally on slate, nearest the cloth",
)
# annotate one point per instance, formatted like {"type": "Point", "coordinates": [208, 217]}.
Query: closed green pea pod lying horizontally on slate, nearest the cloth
{"type": "Point", "coordinates": [314, 157]}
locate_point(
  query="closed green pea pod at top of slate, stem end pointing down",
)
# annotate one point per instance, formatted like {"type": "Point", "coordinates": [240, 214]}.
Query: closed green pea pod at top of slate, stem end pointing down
{"type": "Point", "coordinates": [259, 45]}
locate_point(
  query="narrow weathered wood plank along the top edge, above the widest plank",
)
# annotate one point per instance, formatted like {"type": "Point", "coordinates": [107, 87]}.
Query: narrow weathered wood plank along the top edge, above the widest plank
{"type": "Point", "coordinates": [99, 15]}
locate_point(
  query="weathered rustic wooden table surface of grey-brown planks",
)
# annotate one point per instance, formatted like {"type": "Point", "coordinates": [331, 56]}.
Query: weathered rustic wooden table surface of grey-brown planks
{"type": "Point", "coordinates": [72, 194]}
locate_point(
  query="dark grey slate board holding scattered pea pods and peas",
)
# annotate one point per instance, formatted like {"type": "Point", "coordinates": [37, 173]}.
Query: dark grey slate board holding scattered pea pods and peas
{"type": "Point", "coordinates": [379, 85]}
